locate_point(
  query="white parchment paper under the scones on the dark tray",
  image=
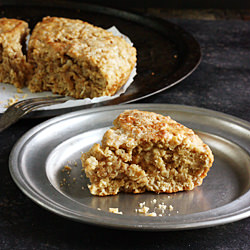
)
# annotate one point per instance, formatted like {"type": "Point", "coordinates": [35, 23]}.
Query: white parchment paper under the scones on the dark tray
{"type": "Point", "coordinates": [9, 93]}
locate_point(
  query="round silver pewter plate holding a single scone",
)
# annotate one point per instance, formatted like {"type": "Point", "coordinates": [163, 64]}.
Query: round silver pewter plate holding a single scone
{"type": "Point", "coordinates": [38, 158]}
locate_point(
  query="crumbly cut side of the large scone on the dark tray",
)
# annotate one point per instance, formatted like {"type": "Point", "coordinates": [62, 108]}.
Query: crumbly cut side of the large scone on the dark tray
{"type": "Point", "coordinates": [68, 77]}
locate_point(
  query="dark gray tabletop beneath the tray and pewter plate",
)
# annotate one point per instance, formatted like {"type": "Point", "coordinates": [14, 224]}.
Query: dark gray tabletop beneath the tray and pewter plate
{"type": "Point", "coordinates": [221, 82]}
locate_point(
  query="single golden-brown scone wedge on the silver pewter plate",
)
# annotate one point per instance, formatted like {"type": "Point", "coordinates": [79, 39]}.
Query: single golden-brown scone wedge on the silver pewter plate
{"type": "Point", "coordinates": [145, 151]}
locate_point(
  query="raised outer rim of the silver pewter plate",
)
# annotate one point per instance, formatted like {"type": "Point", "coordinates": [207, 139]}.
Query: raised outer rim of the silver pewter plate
{"type": "Point", "coordinates": [16, 176]}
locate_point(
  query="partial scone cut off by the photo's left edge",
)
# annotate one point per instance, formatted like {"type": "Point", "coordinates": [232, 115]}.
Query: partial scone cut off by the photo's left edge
{"type": "Point", "coordinates": [13, 66]}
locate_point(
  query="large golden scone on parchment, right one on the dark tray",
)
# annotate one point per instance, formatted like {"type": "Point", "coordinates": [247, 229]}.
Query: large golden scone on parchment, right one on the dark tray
{"type": "Point", "coordinates": [77, 59]}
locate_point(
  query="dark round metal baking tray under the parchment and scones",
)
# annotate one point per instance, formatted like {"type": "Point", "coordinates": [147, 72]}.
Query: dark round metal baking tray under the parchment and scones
{"type": "Point", "coordinates": [166, 53]}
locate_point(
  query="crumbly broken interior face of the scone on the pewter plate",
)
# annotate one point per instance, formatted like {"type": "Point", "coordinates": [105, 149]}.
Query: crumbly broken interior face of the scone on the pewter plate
{"type": "Point", "coordinates": [123, 164]}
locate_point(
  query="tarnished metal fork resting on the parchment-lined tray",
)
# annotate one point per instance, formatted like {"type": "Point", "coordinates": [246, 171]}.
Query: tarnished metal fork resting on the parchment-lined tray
{"type": "Point", "coordinates": [19, 109]}
